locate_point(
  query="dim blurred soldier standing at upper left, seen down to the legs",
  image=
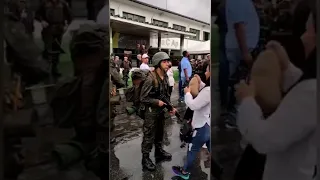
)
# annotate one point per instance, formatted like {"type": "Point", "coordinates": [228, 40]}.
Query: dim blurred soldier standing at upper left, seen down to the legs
{"type": "Point", "coordinates": [55, 16]}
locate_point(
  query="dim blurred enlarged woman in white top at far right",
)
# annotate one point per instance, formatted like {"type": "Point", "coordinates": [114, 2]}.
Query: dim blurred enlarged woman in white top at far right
{"type": "Point", "coordinates": [286, 136]}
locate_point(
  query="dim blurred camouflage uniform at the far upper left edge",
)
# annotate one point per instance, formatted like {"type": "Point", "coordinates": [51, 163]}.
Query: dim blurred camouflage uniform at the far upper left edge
{"type": "Point", "coordinates": [23, 53]}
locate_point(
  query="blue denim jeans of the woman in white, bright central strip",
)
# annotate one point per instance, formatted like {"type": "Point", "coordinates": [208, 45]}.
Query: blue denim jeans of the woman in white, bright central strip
{"type": "Point", "coordinates": [200, 137]}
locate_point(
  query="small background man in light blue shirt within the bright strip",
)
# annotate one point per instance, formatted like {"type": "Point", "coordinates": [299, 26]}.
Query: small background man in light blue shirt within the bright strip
{"type": "Point", "coordinates": [186, 70]}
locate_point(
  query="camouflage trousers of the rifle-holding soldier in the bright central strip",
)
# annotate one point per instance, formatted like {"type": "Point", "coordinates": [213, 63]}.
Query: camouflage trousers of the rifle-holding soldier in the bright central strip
{"type": "Point", "coordinates": [153, 130]}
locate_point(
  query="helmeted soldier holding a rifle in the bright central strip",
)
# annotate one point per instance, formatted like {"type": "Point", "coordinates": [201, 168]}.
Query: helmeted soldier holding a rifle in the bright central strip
{"type": "Point", "coordinates": [153, 127]}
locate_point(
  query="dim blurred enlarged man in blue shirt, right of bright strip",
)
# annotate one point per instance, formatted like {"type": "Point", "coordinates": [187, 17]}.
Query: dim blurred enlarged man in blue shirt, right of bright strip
{"type": "Point", "coordinates": [242, 37]}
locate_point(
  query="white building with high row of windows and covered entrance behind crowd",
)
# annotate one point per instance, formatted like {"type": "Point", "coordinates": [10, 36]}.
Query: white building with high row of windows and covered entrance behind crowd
{"type": "Point", "coordinates": [133, 23]}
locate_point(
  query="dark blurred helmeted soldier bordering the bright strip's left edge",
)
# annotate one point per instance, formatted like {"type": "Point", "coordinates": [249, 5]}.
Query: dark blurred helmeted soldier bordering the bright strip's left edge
{"type": "Point", "coordinates": [92, 126]}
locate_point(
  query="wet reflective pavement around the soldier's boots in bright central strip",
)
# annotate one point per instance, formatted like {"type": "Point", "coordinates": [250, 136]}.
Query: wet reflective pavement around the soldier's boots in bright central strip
{"type": "Point", "coordinates": [128, 149]}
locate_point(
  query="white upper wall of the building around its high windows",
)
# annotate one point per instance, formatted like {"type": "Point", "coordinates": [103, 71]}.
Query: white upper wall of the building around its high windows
{"type": "Point", "coordinates": [121, 6]}
